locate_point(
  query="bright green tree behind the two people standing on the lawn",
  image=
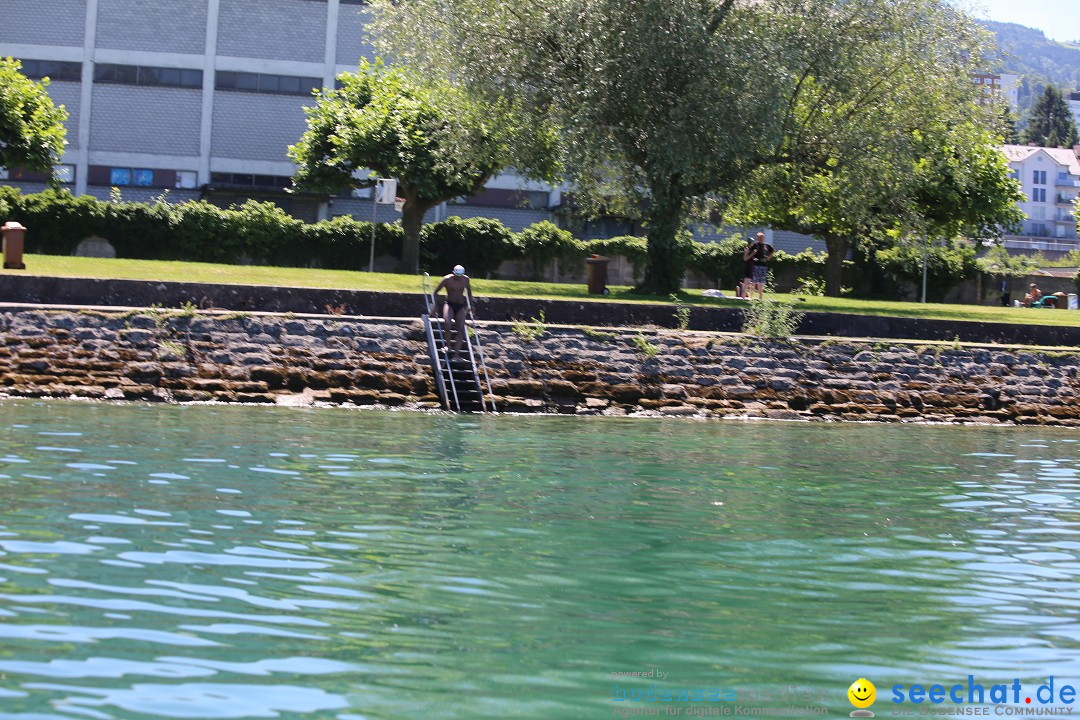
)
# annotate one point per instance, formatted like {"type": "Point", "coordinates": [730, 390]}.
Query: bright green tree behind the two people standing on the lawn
{"type": "Point", "coordinates": [925, 180]}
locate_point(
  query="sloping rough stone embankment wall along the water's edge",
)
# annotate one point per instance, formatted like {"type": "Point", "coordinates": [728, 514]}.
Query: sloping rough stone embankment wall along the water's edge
{"type": "Point", "coordinates": [172, 357]}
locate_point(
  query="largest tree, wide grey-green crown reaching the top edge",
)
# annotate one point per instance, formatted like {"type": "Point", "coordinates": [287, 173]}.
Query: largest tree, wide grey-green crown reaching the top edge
{"type": "Point", "coordinates": [664, 105]}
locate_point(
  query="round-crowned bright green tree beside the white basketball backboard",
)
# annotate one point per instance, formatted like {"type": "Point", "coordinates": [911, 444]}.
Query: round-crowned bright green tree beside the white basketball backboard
{"type": "Point", "coordinates": [381, 124]}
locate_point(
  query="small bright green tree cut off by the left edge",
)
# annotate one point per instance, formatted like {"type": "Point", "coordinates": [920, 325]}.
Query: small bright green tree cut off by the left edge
{"type": "Point", "coordinates": [32, 128]}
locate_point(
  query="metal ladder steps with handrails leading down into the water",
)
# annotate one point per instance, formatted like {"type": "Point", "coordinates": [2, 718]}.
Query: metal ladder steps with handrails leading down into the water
{"type": "Point", "coordinates": [458, 383]}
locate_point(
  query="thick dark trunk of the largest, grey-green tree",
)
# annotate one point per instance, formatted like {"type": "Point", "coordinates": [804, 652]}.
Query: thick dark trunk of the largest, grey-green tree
{"type": "Point", "coordinates": [664, 275]}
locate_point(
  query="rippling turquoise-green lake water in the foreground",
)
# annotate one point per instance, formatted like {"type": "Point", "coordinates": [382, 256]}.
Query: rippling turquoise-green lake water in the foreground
{"type": "Point", "coordinates": [265, 563]}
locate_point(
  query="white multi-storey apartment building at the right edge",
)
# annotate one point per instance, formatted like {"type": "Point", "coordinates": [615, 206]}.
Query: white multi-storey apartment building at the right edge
{"type": "Point", "coordinates": [1050, 179]}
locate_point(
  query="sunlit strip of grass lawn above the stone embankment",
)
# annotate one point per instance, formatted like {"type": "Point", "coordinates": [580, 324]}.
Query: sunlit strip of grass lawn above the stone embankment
{"type": "Point", "coordinates": [206, 273]}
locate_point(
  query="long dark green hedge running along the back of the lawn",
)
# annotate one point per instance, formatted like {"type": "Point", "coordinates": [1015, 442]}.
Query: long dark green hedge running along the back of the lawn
{"type": "Point", "coordinates": [264, 234]}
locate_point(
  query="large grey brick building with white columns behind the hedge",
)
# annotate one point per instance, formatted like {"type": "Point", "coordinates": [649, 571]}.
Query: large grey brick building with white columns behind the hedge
{"type": "Point", "coordinates": [204, 98]}
